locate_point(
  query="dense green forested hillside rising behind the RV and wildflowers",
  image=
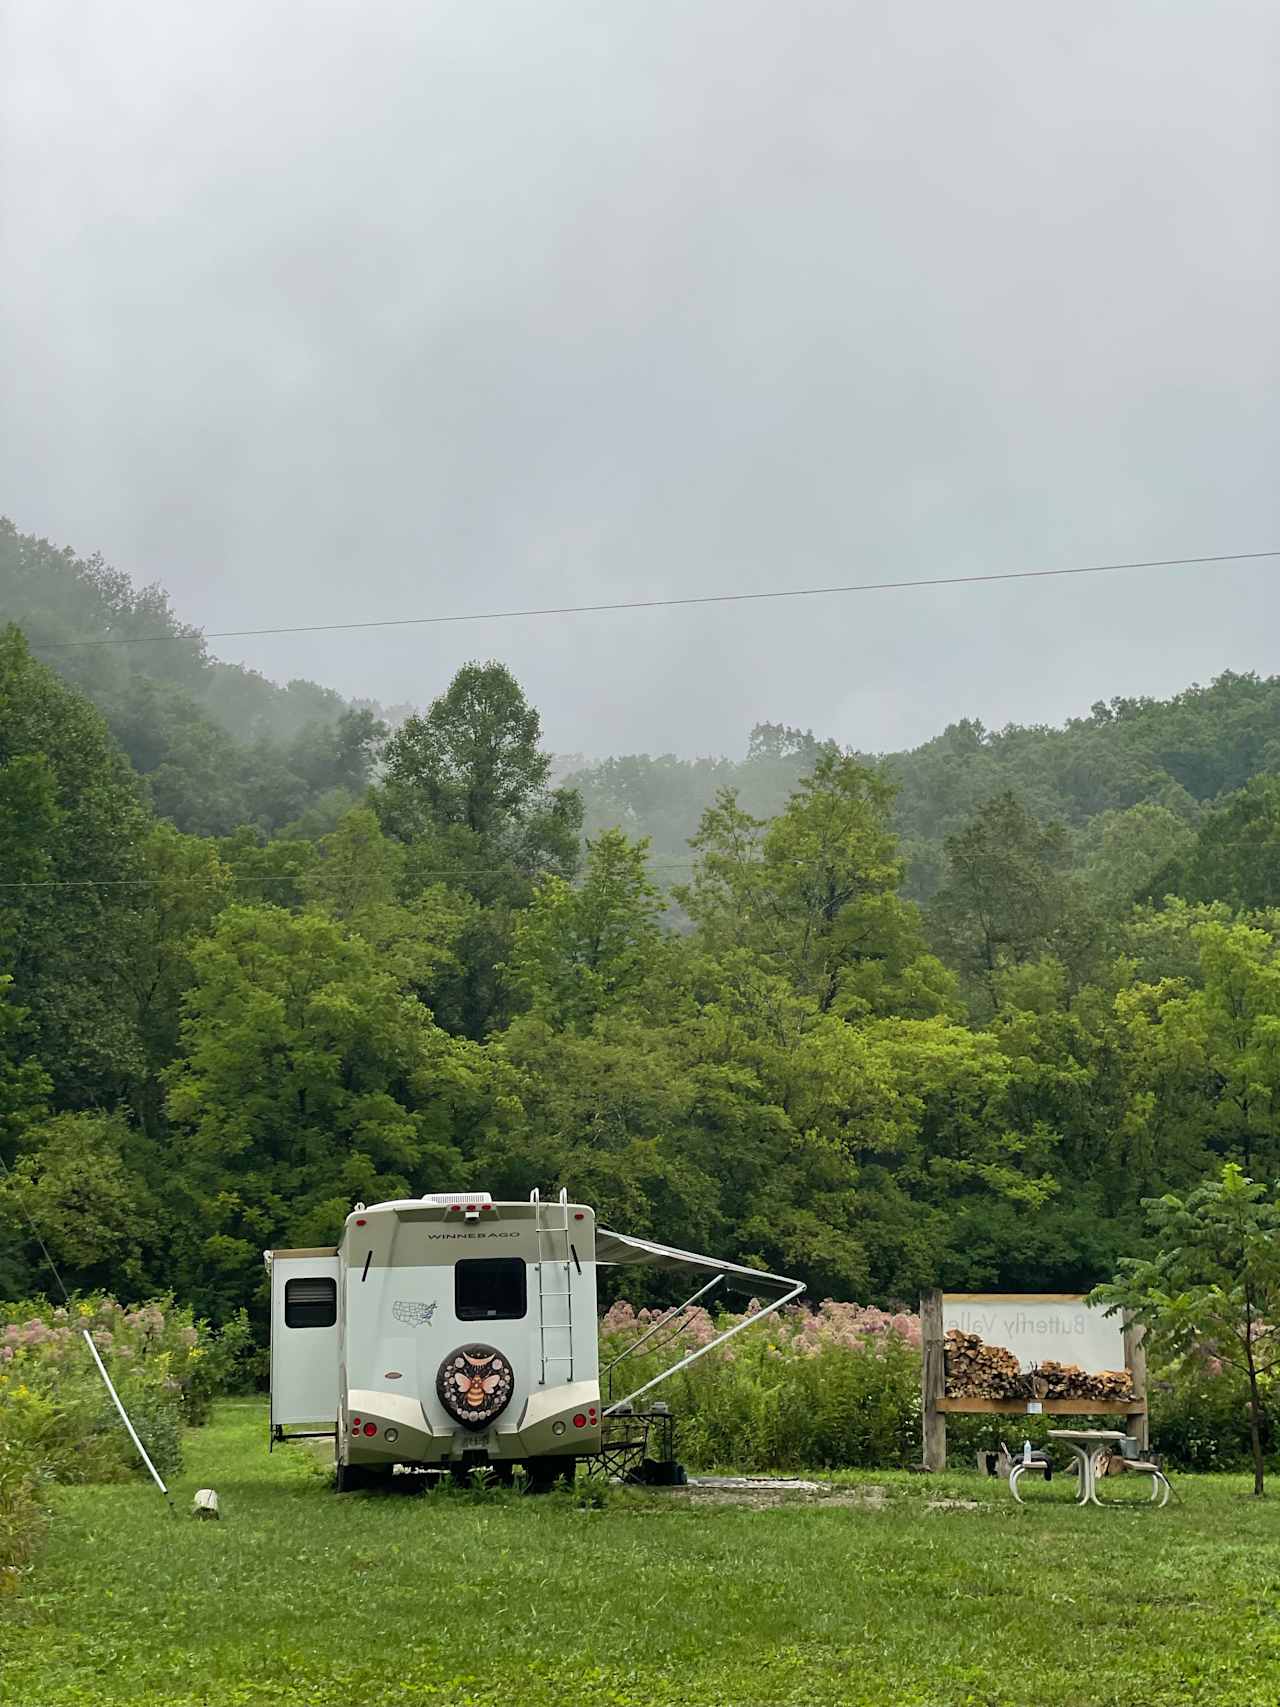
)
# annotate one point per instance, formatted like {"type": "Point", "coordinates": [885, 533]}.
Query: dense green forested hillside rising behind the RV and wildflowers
{"type": "Point", "coordinates": [223, 1027]}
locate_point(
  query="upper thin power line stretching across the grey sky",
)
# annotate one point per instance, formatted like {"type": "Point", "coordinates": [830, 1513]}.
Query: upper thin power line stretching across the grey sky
{"type": "Point", "coordinates": [658, 605]}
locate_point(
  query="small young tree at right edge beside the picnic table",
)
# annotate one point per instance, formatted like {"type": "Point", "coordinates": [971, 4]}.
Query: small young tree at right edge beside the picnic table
{"type": "Point", "coordinates": [1214, 1285]}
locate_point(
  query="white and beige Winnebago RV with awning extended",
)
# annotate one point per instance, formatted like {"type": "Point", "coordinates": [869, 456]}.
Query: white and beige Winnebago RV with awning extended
{"type": "Point", "coordinates": [453, 1332]}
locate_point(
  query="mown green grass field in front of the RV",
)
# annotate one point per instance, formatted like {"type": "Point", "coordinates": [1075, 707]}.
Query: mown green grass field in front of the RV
{"type": "Point", "coordinates": [300, 1597]}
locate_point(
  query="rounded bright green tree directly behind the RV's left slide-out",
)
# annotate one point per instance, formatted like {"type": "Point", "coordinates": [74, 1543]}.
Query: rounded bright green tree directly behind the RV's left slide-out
{"type": "Point", "coordinates": [308, 1078]}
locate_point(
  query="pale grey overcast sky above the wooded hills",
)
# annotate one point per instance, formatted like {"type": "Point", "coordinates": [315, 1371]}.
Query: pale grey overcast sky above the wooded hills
{"type": "Point", "coordinates": [342, 312]}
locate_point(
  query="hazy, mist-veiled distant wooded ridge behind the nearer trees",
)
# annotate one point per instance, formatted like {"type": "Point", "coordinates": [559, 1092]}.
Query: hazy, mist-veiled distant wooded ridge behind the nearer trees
{"type": "Point", "coordinates": [223, 747]}
